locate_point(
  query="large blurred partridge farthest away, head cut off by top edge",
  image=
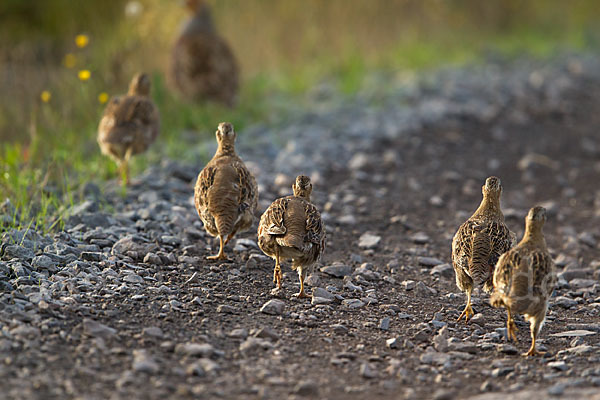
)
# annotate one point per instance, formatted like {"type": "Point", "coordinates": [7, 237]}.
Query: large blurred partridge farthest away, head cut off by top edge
{"type": "Point", "coordinates": [202, 66]}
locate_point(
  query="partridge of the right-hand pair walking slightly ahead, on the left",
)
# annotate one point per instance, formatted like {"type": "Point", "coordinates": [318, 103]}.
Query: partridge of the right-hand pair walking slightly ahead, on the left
{"type": "Point", "coordinates": [479, 242]}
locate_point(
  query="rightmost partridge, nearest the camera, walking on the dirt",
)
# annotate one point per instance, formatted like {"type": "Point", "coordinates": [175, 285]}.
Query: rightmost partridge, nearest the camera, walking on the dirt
{"type": "Point", "coordinates": [525, 277]}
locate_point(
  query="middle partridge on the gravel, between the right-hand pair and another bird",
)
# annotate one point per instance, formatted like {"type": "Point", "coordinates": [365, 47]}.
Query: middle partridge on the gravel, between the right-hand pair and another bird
{"type": "Point", "coordinates": [292, 228]}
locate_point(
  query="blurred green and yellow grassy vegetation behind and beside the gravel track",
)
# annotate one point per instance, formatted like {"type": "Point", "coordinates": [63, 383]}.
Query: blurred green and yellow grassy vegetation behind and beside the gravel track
{"type": "Point", "coordinates": [48, 116]}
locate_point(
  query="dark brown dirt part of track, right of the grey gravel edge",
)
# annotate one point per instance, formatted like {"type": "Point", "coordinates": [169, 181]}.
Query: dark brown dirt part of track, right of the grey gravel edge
{"type": "Point", "coordinates": [413, 192]}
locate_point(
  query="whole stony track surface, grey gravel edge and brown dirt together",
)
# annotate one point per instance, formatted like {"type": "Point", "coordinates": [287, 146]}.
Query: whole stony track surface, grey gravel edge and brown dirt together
{"type": "Point", "coordinates": [123, 303]}
